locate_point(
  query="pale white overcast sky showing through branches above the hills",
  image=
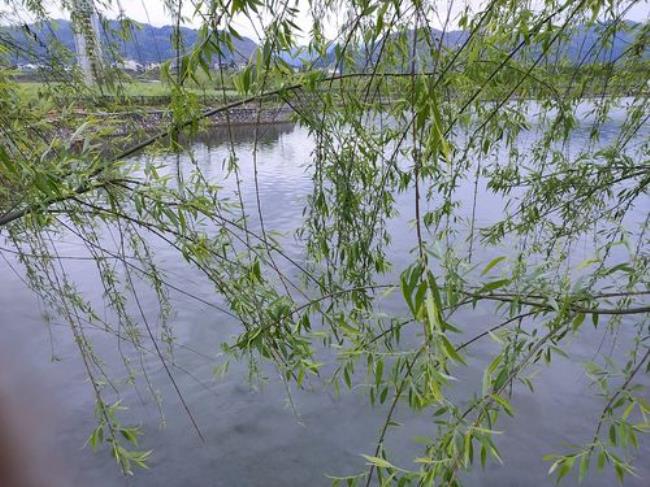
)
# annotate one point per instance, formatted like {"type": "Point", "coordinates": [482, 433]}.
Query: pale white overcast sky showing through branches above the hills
{"type": "Point", "coordinates": [154, 12]}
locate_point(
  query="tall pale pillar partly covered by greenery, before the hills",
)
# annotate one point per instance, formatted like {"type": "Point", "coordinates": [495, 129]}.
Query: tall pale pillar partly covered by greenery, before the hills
{"type": "Point", "coordinates": [85, 24]}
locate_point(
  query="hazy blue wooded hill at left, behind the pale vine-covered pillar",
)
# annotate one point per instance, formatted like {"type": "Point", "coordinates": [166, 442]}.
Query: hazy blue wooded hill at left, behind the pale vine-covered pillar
{"type": "Point", "coordinates": [147, 44]}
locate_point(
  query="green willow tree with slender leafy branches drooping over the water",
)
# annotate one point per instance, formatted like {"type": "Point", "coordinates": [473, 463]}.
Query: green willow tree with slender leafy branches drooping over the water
{"type": "Point", "coordinates": [398, 103]}
